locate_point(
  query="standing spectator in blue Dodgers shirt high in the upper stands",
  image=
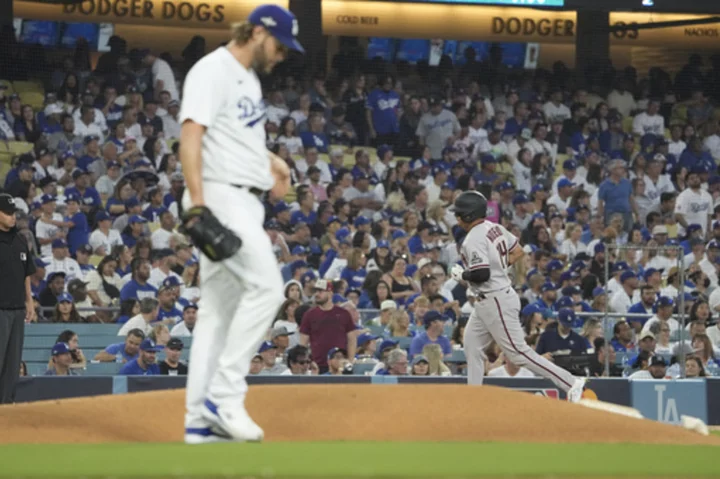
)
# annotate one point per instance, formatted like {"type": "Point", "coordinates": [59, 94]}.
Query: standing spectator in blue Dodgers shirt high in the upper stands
{"type": "Point", "coordinates": [382, 106]}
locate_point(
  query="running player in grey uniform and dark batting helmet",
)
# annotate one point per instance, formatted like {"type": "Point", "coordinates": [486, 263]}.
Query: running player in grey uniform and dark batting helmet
{"type": "Point", "coordinates": [487, 252]}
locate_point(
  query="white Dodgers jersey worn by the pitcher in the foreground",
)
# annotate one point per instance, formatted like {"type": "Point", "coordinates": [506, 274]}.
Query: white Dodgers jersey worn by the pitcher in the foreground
{"type": "Point", "coordinates": [225, 97]}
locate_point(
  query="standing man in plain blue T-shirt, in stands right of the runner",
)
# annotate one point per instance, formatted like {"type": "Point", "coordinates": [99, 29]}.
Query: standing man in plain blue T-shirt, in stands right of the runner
{"type": "Point", "coordinates": [615, 195]}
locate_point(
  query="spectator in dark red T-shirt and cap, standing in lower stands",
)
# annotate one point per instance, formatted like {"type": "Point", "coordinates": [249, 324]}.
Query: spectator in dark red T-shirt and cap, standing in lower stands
{"type": "Point", "coordinates": [327, 326]}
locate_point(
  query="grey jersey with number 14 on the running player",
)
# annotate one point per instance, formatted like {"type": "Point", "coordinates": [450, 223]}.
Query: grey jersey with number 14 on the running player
{"type": "Point", "coordinates": [488, 245]}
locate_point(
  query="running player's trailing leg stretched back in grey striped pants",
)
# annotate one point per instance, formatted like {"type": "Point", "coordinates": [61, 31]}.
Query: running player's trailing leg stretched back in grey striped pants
{"type": "Point", "coordinates": [500, 311]}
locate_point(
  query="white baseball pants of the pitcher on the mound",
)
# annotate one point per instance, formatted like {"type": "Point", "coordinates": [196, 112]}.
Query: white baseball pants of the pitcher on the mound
{"type": "Point", "coordinates": [239, 297]}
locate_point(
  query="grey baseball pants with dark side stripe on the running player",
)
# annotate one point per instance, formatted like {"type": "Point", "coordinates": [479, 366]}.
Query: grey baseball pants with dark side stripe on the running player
{"type": "Point", "coordinates": [496, 317]}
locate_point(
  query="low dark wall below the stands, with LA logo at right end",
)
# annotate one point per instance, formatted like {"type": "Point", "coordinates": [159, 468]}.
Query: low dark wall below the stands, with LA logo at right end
{"type": "Point", "coordinates": [664, 401]}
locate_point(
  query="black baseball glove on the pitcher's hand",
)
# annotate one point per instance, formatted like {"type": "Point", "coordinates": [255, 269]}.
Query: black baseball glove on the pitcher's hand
{"type": "Point", "coordinates": [215, 240]}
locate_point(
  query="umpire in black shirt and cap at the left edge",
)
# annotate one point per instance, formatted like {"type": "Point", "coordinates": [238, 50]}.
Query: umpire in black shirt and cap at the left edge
{"type": "Point", "coordinates": [16, 304]}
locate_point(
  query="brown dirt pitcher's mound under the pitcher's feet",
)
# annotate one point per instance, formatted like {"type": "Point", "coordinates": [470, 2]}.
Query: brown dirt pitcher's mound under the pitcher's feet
{"type": "Point", "coordinates": [343, 412]}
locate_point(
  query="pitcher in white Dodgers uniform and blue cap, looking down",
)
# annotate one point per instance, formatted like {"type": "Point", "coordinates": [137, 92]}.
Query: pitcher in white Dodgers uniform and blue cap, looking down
{"type": "Point", "coordinates": [227, 169]}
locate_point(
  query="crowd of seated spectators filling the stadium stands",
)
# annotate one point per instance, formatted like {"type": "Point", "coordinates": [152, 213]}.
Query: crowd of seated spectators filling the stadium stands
{"type": "Point", "coordinates": [573, 165]}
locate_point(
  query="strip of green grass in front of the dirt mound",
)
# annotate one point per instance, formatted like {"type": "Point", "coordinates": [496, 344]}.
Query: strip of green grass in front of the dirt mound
{"type": "Point", "coordinates": [357, 460]}
